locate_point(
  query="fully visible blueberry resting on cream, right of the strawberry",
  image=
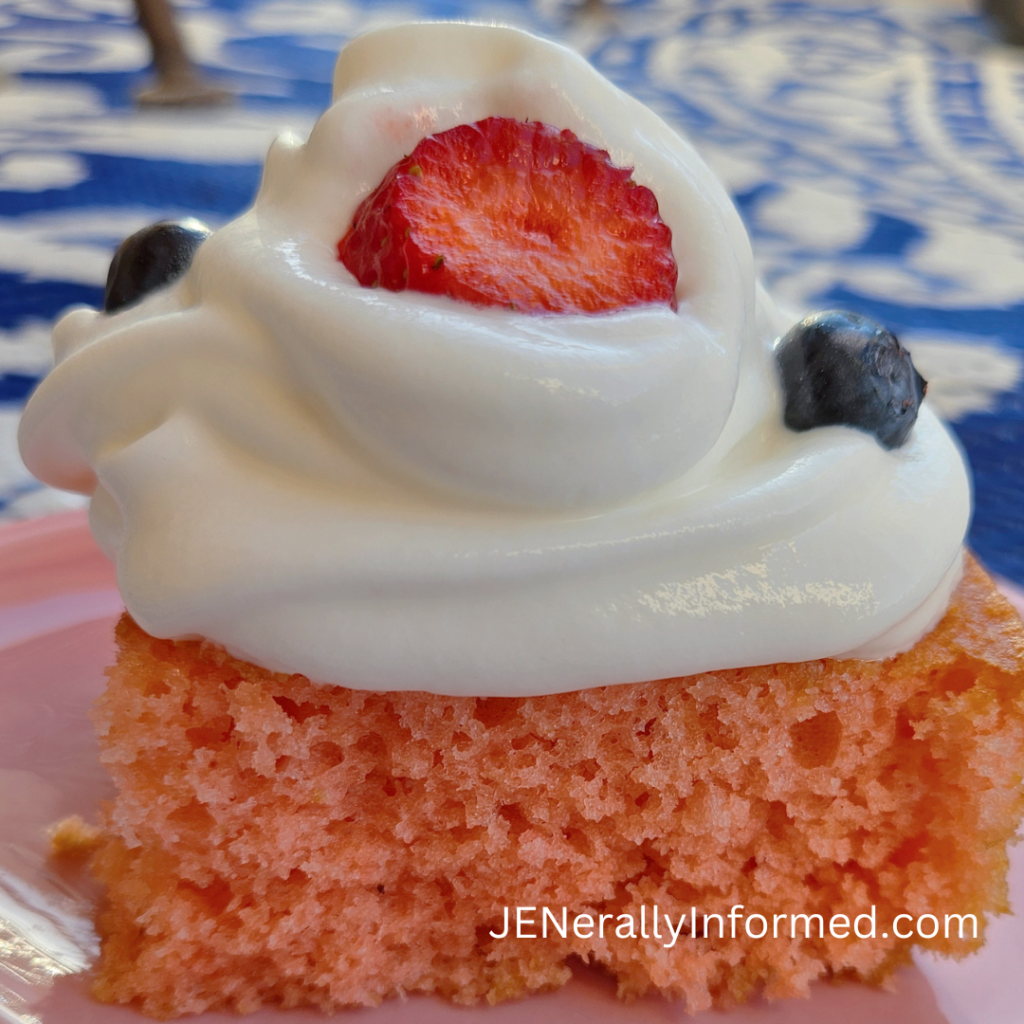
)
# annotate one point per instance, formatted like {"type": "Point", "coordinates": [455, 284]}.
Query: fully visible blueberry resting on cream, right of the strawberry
{"type": "Point", "coordinates": [842, 368]}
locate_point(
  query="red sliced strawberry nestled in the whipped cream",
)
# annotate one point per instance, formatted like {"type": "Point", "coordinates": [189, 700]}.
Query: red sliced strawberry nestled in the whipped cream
{"type": "Point", "coordinates": [507, 214]}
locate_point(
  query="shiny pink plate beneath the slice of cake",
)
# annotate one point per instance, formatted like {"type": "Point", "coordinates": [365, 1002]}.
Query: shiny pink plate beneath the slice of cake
{"type": "Point", "coordinates": [59, 603]}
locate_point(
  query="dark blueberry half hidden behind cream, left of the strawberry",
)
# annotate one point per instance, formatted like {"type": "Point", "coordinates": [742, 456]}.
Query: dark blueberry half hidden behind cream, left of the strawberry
{"type": "Point", "coordinates": [151, 259]}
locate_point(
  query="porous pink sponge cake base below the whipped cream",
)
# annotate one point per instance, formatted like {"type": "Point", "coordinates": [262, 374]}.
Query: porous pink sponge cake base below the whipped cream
{"type": "Point", "coordinates": [277, 843]}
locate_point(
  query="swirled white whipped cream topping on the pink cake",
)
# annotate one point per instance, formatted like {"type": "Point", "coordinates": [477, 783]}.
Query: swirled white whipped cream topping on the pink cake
{"type": "Point", "coordinates": [401, 492]}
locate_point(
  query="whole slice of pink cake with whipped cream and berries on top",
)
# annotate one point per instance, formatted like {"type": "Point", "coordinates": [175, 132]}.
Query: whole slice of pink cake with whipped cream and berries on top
{"type": "Point", "coordinates": [508, 582]}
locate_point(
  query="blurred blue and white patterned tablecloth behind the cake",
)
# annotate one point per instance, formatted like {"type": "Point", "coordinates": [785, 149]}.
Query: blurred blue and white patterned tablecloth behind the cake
{"type": "Point", "coordinates": [876, 152]}
